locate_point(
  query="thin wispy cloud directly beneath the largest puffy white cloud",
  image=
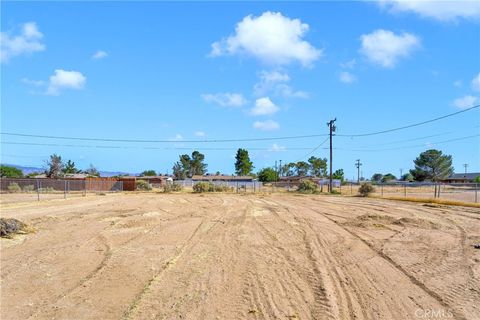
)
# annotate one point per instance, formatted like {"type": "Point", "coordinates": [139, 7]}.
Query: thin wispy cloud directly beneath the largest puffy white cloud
{"type": "Point", "coordinates": [275, 82]}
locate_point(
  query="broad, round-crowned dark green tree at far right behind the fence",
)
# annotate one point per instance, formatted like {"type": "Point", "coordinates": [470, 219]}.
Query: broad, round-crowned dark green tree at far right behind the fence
{"type": "Point", "coordinates": [432, 165]}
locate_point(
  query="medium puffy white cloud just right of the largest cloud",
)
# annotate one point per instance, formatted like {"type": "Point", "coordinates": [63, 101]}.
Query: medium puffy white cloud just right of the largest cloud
{"type": "Point", "coordinates": [385, 48]}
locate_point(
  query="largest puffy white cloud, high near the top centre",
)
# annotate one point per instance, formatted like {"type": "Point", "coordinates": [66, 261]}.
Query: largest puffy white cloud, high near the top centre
{"type": "Point", "coordinates": [272, 38]}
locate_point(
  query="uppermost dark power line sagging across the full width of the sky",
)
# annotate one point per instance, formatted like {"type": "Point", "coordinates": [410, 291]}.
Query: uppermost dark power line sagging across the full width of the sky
{"type": "Point", "coordinates": [236, 140]}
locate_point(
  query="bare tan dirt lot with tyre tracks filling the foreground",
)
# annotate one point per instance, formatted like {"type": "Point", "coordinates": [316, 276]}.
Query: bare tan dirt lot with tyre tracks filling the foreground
{"type": "Point", "coordinates": [185, 256]}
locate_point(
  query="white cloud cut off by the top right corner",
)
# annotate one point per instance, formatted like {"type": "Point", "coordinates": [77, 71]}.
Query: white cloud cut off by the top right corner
{"type": "Point", "coordinates": [440, 10]}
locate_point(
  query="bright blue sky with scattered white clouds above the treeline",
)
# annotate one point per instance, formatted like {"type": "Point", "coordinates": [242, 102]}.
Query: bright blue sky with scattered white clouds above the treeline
{"type": "Point", "coordinates": [223, 70]}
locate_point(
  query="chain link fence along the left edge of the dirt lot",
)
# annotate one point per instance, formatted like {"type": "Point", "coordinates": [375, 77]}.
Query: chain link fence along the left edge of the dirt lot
{"type": "Point", "coordinates": [18, 190]}
